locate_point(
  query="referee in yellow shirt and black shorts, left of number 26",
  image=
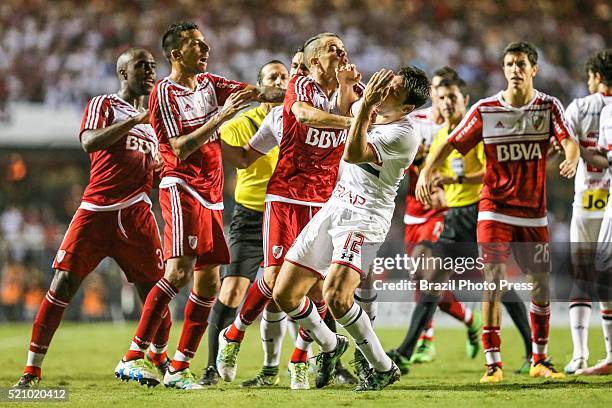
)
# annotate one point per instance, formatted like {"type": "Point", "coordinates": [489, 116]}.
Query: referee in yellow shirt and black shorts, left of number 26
{"type": "Point", "coordinates": [461, 176]}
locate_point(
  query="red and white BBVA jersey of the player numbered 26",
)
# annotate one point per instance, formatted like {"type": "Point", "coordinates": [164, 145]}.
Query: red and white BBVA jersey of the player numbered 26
{"type": "Point", "coordinates": [516, 143]}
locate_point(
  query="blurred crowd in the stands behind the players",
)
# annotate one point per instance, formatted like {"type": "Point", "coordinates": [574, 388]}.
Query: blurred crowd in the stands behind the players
{"type": "Point", "coordinates": [60, 53]}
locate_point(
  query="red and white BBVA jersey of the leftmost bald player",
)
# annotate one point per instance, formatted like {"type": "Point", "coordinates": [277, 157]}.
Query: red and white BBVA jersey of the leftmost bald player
{"type": "Point", "coordinates": [121, 174]}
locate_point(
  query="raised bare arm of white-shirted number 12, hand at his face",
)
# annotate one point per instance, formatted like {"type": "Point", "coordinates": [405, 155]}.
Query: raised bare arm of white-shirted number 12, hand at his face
{"type": "Point", "coordinates": [356, 149]}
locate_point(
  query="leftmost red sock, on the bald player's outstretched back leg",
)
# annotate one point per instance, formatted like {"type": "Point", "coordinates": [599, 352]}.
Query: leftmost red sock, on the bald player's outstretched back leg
{"type": "Point", "coordinates": [45, 324]}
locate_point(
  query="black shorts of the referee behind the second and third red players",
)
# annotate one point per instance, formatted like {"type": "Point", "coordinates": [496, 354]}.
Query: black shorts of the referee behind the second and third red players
{"type": "Point", "coordinates": [245, 243]}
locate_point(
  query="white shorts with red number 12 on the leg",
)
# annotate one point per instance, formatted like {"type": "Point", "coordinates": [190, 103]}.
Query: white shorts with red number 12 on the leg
{"type": "Point", "coordinates": [339, 235]}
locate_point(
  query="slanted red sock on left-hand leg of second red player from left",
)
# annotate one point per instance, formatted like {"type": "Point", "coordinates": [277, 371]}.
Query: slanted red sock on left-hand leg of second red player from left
{"type": "Point", "coordinates": [154, 311]}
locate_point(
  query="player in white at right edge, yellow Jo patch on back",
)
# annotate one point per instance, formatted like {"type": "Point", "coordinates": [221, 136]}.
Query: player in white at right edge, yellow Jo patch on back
{"type": "Point", "coordinates": [590, 201]}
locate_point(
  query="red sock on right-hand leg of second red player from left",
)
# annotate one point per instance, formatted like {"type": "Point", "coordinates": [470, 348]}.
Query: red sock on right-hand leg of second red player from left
{"type": "Point", "coordinates": [195, 323]}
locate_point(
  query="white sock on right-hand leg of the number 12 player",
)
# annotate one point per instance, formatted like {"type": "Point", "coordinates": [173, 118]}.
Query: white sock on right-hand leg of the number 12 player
{"type": "Point", "coordinates": [358, 325]}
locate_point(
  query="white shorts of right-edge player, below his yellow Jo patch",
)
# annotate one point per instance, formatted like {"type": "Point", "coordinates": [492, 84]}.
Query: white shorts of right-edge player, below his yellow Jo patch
{"type": "Point", "coordinates": [584, 234]}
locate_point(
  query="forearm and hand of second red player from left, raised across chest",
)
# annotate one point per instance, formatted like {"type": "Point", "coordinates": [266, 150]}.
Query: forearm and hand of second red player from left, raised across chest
{"type": "Point", "coordinates": [183, 146]}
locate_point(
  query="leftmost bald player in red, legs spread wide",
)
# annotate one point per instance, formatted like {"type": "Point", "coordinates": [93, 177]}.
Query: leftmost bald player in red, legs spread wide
{"type": "Point", "coordinates": [115, 217]}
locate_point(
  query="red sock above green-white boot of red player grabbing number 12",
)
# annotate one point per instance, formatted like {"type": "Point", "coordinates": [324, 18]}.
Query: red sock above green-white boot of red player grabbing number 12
{"type": "Point", "coordinates": [257, 298]}
